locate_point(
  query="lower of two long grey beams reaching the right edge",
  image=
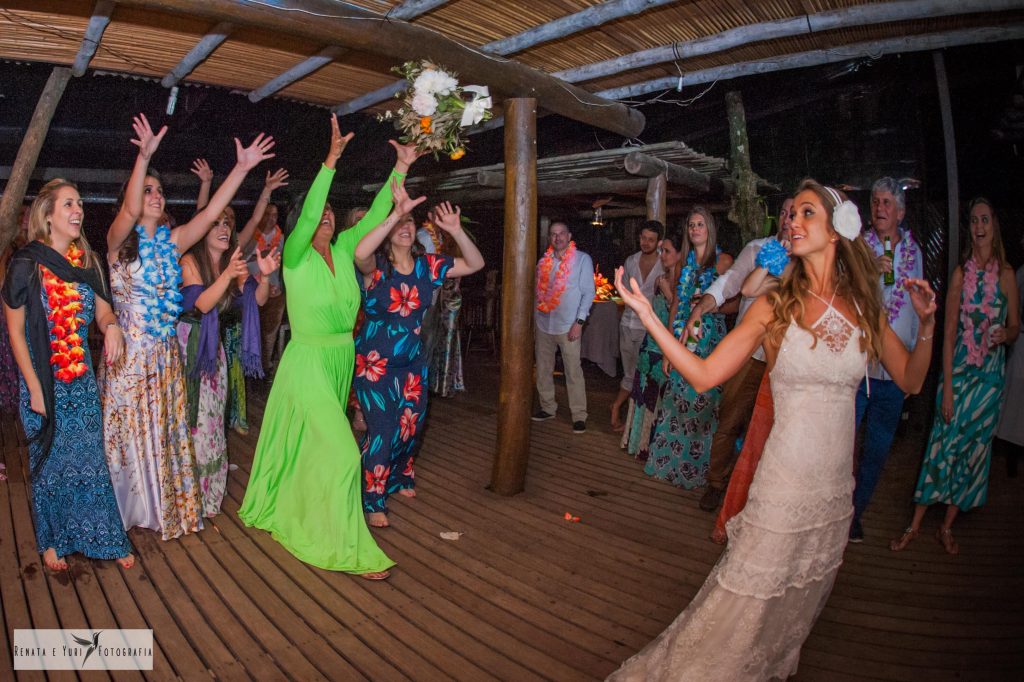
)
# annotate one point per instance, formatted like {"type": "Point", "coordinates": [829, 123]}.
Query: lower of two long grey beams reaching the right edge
{"type": "Point", "coordinates": [870, 50]}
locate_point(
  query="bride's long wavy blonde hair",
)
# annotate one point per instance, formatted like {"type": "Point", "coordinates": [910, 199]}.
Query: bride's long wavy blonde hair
{"type": "Point", "coordinates": [857, 281]}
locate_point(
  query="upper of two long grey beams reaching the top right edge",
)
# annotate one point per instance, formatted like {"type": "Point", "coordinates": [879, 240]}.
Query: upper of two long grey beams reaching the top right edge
{"type": "Point", "coordinates": [883, 13]}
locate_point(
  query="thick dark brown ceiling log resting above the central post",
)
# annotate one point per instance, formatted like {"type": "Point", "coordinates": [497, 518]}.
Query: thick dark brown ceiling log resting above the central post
{"type": "Point", "coordinates": [328, 23]}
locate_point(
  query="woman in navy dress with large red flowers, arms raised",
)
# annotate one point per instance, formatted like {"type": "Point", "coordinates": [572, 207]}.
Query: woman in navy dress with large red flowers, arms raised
{"type": "Point", "coordinates": [399, 281]}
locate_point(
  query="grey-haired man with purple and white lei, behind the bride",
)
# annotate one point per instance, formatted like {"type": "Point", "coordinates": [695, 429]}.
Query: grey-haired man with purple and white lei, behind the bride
{"type": "Point", "coordinates": [882, 410]}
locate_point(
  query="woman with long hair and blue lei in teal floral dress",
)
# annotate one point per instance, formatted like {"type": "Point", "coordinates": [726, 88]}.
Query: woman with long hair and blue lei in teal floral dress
{"type": "Point", "coordinates": [680, 447]}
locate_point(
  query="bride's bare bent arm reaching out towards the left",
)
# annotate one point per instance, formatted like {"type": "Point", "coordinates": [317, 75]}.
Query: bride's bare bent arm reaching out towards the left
{"type": "Point", "coordinates": [724, 362]}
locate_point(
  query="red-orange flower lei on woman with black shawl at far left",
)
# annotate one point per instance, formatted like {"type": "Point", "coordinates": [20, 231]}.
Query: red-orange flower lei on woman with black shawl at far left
{"type": "Point", "coordinates": [65, 304]}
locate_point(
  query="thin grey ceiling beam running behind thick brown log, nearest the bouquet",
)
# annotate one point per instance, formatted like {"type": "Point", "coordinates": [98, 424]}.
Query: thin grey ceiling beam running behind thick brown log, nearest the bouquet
{"type": "Point", "coordinates": [566, 26]}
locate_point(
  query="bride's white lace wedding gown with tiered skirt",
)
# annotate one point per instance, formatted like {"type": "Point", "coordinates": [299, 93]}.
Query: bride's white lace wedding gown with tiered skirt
{"type": "Point", "coordinates": [759, 603]}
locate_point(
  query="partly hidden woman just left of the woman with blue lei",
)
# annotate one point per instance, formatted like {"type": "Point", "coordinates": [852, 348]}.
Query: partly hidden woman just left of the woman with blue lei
{"type": "Point", "coordinates": [649, 381]}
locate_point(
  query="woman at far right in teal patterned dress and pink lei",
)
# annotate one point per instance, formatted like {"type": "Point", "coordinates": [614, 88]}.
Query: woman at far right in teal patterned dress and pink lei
{"type": "Point", "coordinates": [982, 320]}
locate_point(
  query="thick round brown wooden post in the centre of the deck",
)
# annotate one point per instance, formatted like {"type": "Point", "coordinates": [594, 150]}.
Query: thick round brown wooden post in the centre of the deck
{"type": "Point", "coordinates": [517, 390]}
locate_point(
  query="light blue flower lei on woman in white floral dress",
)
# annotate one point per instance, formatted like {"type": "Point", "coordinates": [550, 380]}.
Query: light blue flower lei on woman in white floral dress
{"type": "Point", "coordinates": [159, 282]}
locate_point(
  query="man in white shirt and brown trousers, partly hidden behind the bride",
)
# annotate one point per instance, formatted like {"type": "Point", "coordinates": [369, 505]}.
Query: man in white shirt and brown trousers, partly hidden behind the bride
{"type": "Point", "coordinates": [740, 394]}
